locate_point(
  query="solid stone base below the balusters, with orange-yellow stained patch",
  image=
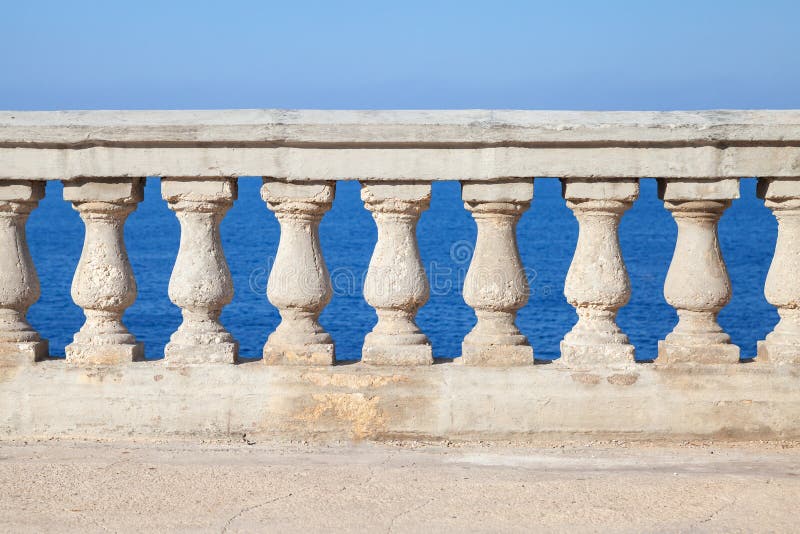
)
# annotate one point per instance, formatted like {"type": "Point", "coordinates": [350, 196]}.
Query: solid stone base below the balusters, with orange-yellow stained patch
{"type": "Point", "coordinates": [439, 402]}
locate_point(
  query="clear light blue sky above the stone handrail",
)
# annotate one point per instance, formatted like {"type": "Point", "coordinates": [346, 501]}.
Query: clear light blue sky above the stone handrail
{"type": "Point", "coordinates": [554, 54]}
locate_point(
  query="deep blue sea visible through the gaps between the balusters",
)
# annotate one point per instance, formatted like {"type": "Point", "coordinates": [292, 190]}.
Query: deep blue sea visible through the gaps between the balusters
{"type": "Point", "coordinates": [547, 234]}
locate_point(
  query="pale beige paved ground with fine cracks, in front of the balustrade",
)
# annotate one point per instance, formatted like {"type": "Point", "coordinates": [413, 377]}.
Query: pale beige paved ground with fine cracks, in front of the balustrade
{"type": "Point", "coordinates": [145, 487]}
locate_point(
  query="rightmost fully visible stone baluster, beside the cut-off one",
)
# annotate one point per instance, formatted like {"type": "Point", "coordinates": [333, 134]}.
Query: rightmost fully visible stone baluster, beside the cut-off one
{"type": "Point", "coordinates": [697, 283]}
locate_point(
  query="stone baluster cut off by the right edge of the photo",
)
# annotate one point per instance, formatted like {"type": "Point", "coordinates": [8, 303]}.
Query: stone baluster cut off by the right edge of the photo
{"type": "Point", "coordinates": [782, 289]}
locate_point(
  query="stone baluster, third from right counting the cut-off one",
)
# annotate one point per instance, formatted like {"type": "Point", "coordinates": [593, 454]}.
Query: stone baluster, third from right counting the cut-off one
{"type": "Point", "coordinates": [597, 283]}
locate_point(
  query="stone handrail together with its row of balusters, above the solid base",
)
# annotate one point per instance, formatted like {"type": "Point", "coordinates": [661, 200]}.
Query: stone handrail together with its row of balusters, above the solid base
{"type": "Point", "coordinates": [103, 157]}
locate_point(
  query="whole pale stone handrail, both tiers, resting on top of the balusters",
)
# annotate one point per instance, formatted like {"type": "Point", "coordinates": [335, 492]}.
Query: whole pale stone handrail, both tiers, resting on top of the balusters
{"type": "Point", "coordinates": [399, 145]}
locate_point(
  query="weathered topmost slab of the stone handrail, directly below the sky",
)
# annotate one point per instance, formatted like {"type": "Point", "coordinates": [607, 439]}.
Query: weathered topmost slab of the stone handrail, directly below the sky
{"type": "Point", "coordinates": [441, 126]}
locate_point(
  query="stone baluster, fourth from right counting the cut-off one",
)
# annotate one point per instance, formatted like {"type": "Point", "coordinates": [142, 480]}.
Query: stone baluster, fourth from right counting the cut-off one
{"type": "Point", "coordinates": [496, 285]}
